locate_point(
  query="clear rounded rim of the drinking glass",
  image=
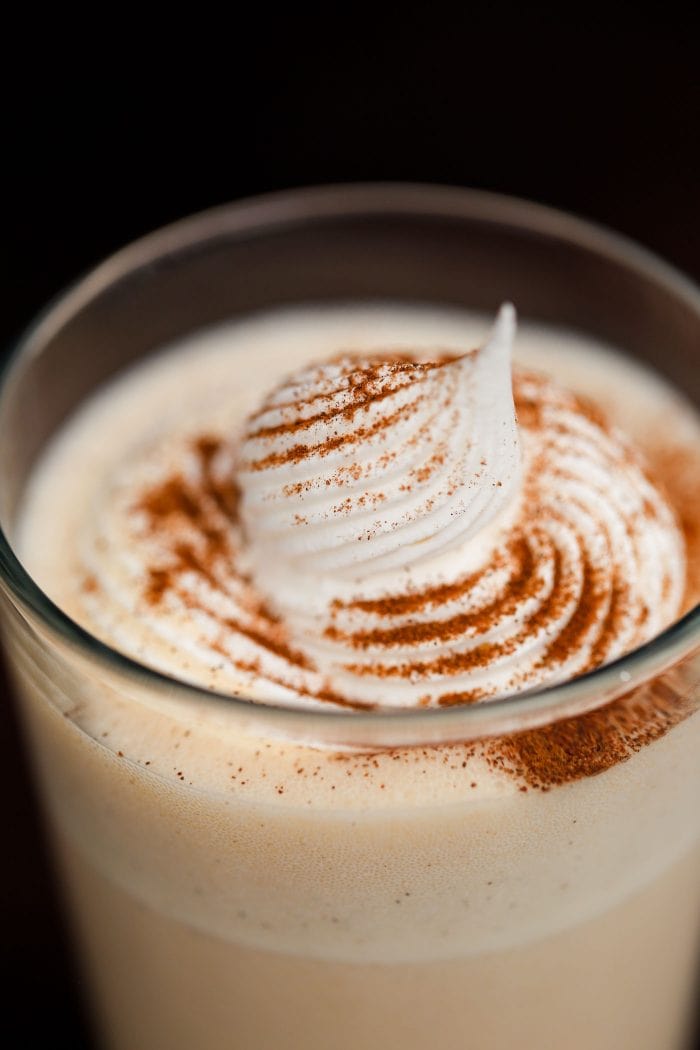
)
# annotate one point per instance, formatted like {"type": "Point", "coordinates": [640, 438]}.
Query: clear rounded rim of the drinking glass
{"type": "Point", "coordinates": [385, 726]}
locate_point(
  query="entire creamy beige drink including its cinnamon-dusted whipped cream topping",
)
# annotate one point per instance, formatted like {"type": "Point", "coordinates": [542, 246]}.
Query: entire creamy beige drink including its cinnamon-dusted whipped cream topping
{"type": "Point", "coordinates": [364, 509]}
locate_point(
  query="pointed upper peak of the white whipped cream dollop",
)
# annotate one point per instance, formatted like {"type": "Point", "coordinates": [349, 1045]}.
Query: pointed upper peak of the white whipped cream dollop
{"type": "Point", "coordinates": [356, 468]}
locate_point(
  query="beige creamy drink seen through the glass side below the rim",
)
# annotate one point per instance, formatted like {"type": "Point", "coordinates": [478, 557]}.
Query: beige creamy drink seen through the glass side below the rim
{"type": "Point", "coordinates": [237, 892]}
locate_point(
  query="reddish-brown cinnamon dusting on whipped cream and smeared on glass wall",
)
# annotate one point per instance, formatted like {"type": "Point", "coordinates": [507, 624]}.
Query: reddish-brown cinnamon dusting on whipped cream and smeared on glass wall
{"type": "Point", "coordinates": [590, 608]}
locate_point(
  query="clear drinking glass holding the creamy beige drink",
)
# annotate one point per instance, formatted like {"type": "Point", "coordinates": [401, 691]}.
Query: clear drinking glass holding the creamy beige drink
{"type": "Point", "coordinates": [214, 910]}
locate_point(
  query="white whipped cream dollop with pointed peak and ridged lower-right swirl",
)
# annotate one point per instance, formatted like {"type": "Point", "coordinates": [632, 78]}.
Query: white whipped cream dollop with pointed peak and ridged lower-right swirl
{"type": "Point", "coordinates": [390, 522]}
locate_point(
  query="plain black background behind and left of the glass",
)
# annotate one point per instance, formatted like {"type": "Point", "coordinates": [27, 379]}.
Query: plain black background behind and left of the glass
{"type": "Point", "coordinates": [126, 132]}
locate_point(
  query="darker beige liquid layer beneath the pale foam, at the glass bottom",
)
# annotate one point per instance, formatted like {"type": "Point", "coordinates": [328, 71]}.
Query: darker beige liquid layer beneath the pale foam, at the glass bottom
{"type": "Point", "coordinates": [568, 991]}
